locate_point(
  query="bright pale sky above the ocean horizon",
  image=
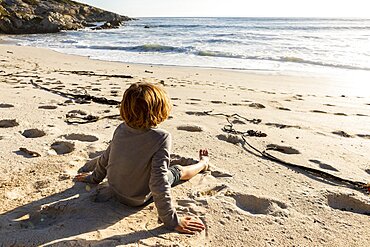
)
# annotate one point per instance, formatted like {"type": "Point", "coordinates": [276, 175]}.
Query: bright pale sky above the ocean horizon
{"type": "Point", "coordinates": [236, 8]}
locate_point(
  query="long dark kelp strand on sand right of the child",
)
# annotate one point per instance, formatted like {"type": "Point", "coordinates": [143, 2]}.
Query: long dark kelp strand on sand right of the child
{"type": "Point", "coordinates": [324, 175]}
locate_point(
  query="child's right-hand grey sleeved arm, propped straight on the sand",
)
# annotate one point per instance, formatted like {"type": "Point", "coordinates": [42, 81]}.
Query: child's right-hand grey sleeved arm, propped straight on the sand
{"type": "Point", "coordinates": [160, 186]}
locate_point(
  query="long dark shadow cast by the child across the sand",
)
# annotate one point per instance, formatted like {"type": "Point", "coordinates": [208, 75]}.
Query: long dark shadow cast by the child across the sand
{"type": "Point", "coordinates": [66, 214]}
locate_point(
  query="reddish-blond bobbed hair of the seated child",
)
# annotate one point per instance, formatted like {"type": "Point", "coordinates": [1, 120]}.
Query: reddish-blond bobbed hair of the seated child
{"type": "Point", "coordinates": [144, 105]}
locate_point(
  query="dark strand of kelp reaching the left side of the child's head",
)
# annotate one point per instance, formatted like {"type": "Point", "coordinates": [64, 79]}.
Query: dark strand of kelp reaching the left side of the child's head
{"type": "Point", "coordinates": [99, 100]}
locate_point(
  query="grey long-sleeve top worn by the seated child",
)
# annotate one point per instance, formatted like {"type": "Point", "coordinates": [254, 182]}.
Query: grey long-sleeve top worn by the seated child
{"type": "Point", "coordinates": [136, 164]}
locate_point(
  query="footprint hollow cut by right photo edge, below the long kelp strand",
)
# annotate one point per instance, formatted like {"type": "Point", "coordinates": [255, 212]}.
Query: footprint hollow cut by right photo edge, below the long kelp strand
{"type": "Point", "coordinates": [349, 202]}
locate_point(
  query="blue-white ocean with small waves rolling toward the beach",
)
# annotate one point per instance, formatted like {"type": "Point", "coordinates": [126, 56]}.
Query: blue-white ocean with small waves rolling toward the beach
{"type": "Point", "coordinates": [271, 44]}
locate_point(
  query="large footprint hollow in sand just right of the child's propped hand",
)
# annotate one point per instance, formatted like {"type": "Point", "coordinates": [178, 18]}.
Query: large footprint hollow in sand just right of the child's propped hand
{"type": "Point", "coordinates": [259, 205]}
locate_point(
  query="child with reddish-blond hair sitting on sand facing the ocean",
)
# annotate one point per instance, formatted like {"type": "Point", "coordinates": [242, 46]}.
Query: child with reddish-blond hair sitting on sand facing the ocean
{"type": "Point", "coordinates": [137, 160]}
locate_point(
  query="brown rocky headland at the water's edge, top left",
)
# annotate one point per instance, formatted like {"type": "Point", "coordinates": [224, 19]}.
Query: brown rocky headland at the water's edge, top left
{"type": "Point", "coordinates": [50, 16]}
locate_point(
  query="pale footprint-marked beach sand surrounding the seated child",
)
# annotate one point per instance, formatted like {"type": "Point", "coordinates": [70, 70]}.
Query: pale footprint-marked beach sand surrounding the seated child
{"type": "Point", "coordinates": [313, 121]}
